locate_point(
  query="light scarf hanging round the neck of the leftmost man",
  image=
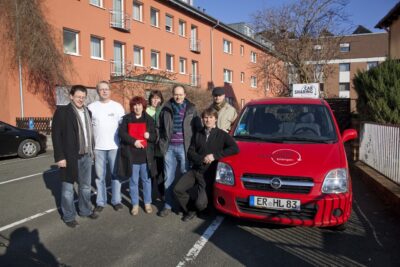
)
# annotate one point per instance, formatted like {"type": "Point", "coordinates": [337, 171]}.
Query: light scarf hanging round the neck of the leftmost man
{"type": "Point", "coordinates": [83, 149]}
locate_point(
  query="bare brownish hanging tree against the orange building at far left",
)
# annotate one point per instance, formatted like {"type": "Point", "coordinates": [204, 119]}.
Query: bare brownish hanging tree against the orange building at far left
{"type": "Point", "coordinates": [30, 39]}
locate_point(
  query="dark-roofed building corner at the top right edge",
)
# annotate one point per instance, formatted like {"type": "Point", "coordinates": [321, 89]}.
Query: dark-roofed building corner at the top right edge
{"type": "Point", "coordinates": [391, 23]}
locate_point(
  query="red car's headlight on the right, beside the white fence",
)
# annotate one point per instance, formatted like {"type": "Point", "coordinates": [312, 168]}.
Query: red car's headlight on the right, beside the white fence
{"type": "Point", "coordinates": [335, 182]}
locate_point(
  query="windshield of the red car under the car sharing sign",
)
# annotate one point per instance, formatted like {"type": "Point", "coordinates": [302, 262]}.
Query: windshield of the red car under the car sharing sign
{"type": "Point", "coordinates": [286, 123]}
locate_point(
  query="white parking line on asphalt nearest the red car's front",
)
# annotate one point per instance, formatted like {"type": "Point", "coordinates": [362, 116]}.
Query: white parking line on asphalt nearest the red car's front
{"type": "Point", "coordinates": [198, 246]}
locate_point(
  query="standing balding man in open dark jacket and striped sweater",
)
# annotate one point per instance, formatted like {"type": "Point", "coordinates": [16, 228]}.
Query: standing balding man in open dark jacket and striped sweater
{"type": "Point", "coordinates": [177, 123]}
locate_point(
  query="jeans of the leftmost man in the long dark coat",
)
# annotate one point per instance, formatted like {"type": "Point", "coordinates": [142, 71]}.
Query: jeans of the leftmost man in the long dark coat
{"type": "Point", "coordinates": [84, 188]}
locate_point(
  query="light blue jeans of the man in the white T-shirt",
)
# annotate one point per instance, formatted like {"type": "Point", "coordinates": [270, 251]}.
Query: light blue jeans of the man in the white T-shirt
{"type": "Point", "coordinates": [102, 157]}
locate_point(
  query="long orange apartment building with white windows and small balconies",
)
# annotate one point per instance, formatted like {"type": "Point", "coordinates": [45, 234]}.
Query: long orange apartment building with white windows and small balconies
{"type": "Point", "coordinates": [111, 39]}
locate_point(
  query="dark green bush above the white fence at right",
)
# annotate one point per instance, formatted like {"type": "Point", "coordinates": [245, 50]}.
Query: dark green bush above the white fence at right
{"type": "Point", "coordinates": [379, 93]}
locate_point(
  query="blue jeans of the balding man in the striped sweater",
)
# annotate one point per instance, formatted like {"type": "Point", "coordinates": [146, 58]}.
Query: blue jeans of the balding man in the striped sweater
{"type": "Point", "coordinates": [175, 154]}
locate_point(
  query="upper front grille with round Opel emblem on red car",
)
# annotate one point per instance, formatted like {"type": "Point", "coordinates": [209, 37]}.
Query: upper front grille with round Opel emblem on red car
{"type": "Point", "coordinates": [297, 185]}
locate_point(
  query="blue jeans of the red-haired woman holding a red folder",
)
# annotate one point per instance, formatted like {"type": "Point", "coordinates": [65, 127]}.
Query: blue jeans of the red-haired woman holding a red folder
{"type": "Point", "coordinates": [142, 171]}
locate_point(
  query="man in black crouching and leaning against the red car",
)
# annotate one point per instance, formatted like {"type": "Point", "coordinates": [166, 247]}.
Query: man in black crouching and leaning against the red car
{"type": "Point", "coordinates": [207, 147]}
